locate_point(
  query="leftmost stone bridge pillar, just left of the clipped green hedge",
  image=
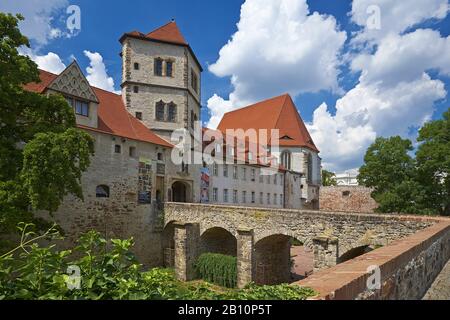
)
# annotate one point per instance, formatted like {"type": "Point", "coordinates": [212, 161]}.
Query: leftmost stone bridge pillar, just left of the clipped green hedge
{"type": "Point", "coordinates": [186, 237]}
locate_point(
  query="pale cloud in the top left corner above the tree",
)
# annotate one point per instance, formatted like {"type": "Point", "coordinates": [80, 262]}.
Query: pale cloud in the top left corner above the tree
{"type": "Point", "coordinates": [39, 17]}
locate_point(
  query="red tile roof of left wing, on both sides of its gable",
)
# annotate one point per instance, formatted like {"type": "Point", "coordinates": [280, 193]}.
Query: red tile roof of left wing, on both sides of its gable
{"type": "Point", "coordinates": [113, 118]}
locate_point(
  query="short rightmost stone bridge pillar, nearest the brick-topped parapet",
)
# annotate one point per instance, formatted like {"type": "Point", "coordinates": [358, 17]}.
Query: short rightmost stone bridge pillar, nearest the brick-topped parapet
{"type": "Point", "coordinates": [325, 252]}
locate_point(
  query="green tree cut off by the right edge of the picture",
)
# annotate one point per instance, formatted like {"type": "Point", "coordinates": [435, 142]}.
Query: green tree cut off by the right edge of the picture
{"type": "Point", "coordinates": [433, 163]}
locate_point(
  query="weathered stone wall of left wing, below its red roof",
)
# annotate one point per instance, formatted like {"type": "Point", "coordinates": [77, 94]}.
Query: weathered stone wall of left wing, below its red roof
{"type": "Point", "coordinates": [120, 215]}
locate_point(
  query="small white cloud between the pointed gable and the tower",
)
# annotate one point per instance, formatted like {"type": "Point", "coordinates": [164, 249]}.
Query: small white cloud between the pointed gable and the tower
{"type": "Point", "coordinates": [96, 72]}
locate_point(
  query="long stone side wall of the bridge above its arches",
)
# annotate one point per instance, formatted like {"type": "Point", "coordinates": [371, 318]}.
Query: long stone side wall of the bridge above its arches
{"type": "Point", "coordinates": [352, 230]}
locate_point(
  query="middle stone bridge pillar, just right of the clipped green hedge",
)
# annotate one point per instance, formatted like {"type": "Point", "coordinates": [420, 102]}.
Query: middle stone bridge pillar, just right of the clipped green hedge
{"type": "Point", "coordinates": [245, 256]}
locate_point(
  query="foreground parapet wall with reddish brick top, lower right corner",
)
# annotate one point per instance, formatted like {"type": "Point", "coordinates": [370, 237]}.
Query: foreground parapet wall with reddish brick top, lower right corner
{"type": "Point", "coordinates": [407, 268]}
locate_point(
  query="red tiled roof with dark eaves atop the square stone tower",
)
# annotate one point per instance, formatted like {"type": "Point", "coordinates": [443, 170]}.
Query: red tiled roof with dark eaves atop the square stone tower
{"type": "Point", "coordinates": [168, 33]}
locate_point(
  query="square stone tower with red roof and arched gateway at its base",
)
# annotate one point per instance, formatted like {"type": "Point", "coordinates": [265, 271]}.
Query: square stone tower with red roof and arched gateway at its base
{"type": "Point", "coordinates": [161, 81]}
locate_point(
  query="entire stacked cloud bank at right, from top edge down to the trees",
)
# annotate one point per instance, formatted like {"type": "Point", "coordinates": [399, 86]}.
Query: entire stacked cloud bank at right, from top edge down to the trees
{"type": "Point", "coordinates": [395, 92]}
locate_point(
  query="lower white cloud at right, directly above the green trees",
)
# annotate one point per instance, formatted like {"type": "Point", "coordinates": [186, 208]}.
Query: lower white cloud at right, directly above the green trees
{"type": "Point", "coordinates": [368, 111]}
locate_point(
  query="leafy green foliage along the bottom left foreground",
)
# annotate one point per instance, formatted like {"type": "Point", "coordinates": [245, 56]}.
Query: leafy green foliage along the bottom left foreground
{"type": "Point", "coordinates": [108, 271]}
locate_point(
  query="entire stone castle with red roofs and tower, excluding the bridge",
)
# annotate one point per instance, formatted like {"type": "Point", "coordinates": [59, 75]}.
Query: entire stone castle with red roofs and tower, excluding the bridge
{"type": "Point", "coordinates": [133, 173]}
